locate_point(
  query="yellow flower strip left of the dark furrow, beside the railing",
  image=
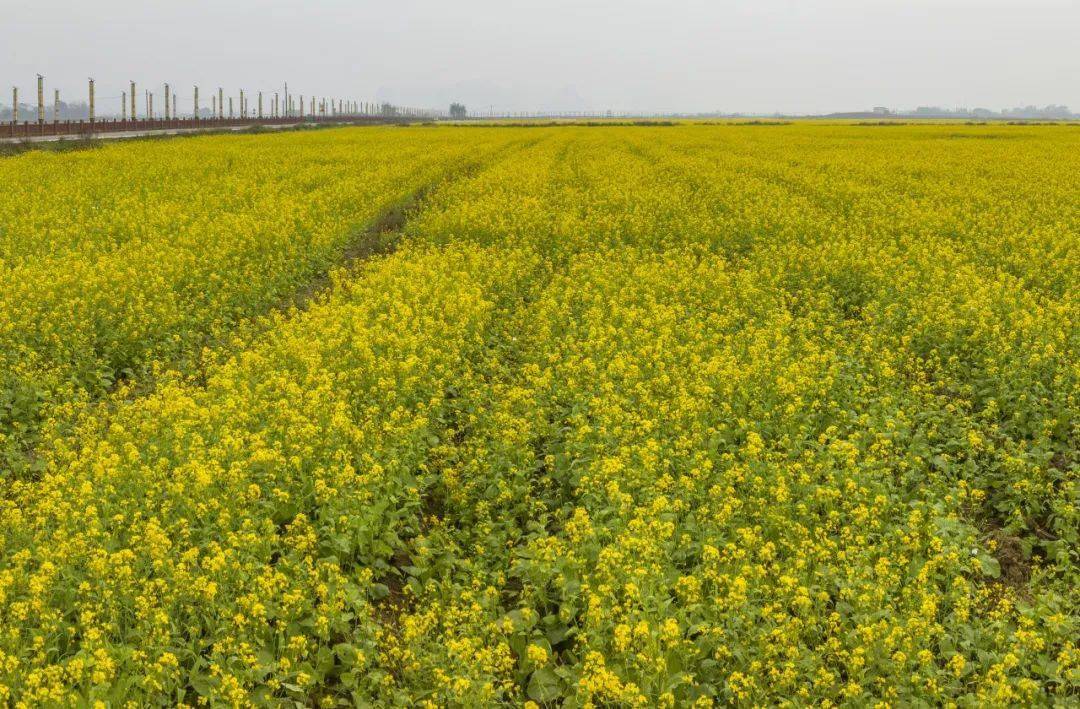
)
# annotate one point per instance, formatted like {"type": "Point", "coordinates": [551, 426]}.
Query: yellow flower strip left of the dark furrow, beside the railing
{"type": "Point", "coordinates": [118, 261]}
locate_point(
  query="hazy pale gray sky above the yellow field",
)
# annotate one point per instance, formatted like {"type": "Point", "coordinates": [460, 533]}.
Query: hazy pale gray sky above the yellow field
{"type": "Point", "coordinates": [752, 57]}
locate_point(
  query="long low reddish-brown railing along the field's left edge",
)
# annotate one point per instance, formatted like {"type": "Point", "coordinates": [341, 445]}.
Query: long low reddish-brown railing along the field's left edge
{"type": "Point", "coordinates": [77, 129]}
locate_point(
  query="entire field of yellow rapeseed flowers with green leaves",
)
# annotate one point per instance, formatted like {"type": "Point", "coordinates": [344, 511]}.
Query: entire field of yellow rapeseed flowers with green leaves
{"type": "Point", "coordinates": [639, 417]}
